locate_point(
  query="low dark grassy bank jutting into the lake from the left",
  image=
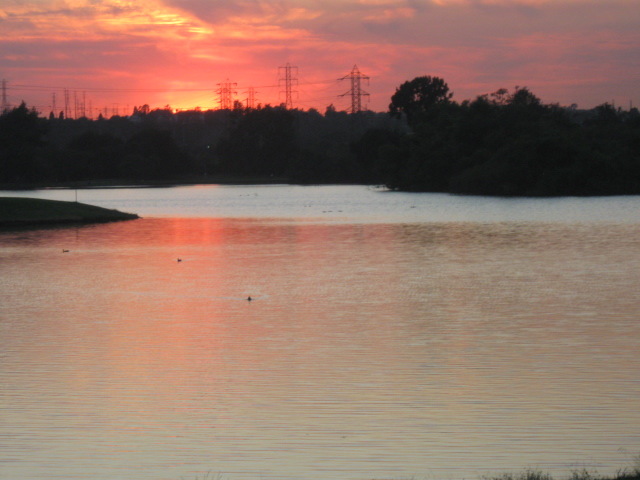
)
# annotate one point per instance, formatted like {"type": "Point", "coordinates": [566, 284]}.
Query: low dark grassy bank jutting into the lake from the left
{"type": "Point", "coordinates": [32, 211]}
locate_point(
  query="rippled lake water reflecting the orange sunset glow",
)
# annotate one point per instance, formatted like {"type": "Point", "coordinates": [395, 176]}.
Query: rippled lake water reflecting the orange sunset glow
{"type": "Point", "coordinates": [389, 336]}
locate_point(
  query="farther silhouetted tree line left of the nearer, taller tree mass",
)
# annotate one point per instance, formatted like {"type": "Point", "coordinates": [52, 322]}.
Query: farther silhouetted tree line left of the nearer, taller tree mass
{"type": "Point", "coordinates": [262, 144]}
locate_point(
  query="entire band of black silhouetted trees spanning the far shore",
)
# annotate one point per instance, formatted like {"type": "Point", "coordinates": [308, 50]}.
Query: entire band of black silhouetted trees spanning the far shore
{"type": "Point", "coordinates": [504, 143]}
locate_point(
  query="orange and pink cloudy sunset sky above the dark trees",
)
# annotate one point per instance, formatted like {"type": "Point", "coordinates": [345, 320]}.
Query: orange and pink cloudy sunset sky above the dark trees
{"type": "Point", "coordinates": [118, 53]}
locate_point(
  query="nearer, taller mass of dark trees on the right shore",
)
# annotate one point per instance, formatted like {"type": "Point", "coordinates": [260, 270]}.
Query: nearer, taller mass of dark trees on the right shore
{"type": "Point", "coordinates": [508, 143]}
